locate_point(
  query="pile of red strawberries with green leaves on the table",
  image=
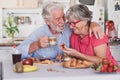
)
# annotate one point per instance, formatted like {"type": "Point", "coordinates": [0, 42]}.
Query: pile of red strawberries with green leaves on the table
{"type": "Point", "coordinates": [105, 66]}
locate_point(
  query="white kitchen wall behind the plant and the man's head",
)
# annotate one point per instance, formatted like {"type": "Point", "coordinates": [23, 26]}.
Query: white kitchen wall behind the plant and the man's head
{"type": "Point", "coordinates": [34, 14]}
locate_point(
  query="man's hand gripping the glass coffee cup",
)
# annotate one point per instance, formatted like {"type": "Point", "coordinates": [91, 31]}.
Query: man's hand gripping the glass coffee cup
{"type": "Point", "coordinates": [43, 41]}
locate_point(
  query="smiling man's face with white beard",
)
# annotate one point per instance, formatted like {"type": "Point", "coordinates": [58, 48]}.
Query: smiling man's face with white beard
{"type": "Point", "coordinates": [57, 20]}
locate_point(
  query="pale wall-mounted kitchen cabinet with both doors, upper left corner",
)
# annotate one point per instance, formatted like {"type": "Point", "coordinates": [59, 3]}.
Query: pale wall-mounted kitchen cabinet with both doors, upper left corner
{"type": "Point", "coordinates": [18, 3]}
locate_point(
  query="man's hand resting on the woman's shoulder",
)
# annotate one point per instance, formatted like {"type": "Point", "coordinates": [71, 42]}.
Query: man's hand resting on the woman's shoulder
{"type": "Point", "coordinates": [97, 30]}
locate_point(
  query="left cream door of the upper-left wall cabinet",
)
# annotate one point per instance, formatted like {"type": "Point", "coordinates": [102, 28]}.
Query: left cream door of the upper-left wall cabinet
{"type": "Point", "coordinates": [8, 3]}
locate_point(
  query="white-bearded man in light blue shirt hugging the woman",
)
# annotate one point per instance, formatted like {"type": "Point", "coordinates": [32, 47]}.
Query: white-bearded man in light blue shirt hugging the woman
{"type": "Point", "coordinates": [37, 44]}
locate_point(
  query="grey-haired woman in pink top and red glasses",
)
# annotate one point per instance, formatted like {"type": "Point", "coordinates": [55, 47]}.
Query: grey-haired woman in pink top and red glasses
{"type": "Point", "coordinates": [85, 47]}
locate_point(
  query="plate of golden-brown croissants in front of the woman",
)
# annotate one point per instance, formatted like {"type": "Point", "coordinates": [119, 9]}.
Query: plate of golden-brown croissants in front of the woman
{"type": "Point", "coordinates": [76, 63]}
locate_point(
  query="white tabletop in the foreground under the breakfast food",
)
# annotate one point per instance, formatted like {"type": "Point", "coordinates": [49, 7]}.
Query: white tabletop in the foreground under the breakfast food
{"type": "Point", "coordinates": [68, 74]}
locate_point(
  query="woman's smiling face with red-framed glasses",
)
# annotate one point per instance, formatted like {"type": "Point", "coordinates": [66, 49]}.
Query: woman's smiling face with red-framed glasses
{"type": "Point", "coordinates": [78, 26]}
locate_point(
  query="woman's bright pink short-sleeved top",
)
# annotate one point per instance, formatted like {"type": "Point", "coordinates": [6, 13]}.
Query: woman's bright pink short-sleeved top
{"type": "Point", "coordinates": [86, 45]}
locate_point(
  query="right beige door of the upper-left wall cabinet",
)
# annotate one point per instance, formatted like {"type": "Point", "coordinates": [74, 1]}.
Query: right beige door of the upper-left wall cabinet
{"type": "Point", "coordinates": [28, 4]}
